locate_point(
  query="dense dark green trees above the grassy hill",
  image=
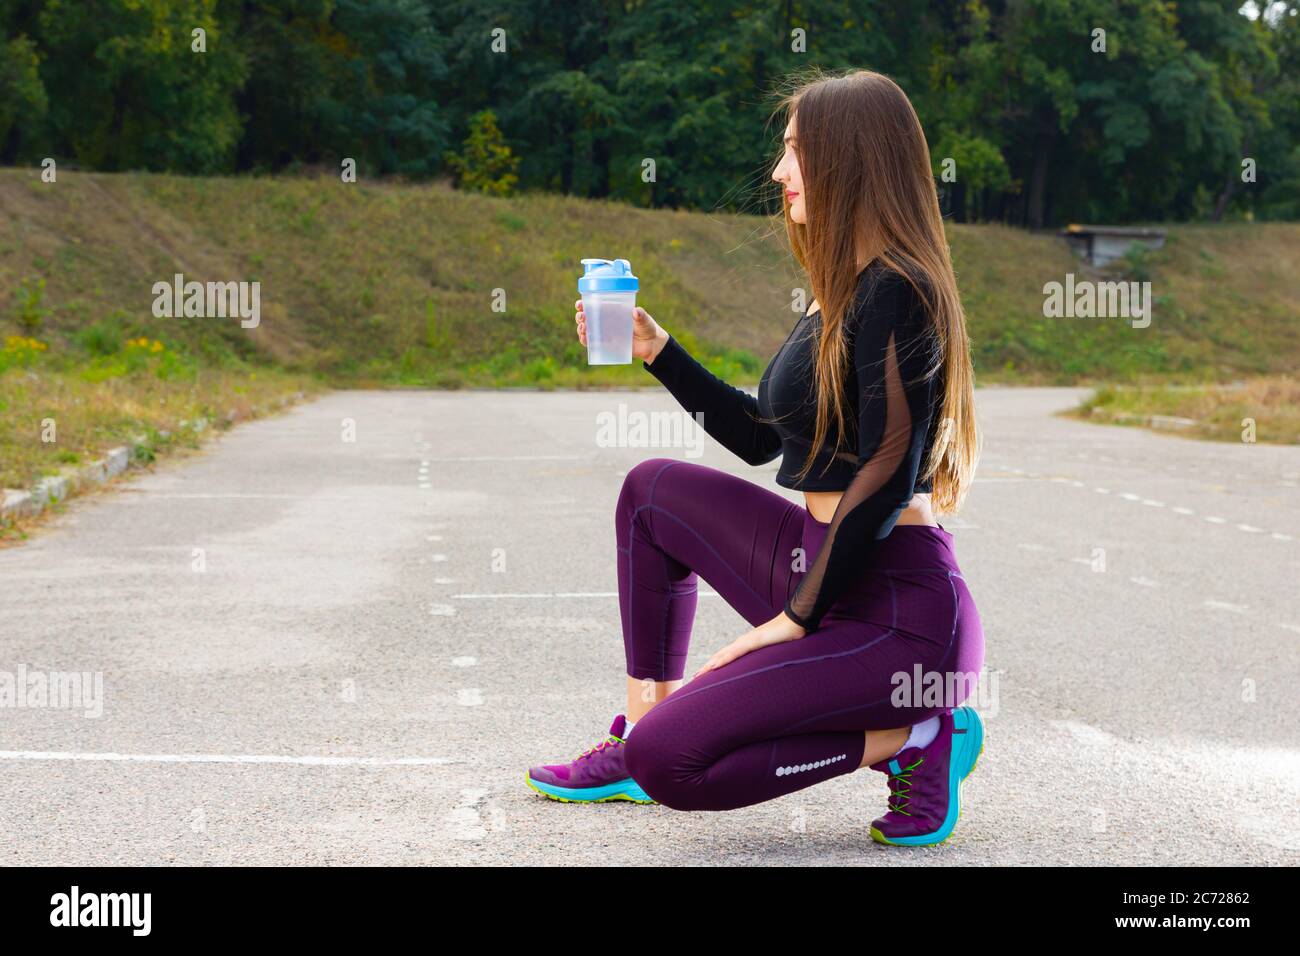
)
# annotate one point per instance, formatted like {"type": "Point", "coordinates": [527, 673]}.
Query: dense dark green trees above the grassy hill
{"type": "Point", "coordinates": [1043, 124]}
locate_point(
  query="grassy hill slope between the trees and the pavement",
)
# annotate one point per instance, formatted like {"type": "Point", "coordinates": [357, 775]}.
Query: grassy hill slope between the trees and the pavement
{"type": "Point", "coordinates": [396, 284]}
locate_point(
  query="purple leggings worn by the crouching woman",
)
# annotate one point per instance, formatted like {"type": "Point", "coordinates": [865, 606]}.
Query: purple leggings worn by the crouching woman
{"type": "Point", "coordinates": [904, 643]}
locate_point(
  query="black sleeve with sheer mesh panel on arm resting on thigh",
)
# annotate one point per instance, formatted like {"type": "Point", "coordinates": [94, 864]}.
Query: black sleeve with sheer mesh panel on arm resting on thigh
{"type": "Point", "coordinates": [894, 419]}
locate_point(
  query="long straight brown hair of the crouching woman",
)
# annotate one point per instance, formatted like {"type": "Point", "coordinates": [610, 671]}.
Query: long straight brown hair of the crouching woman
{"type": "Point", "coordinates": [870, 196]}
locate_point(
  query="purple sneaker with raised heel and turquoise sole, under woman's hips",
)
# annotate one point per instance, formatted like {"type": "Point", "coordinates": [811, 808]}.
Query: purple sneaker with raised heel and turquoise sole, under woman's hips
{"type": "Point", "coordinates": [926, 784]}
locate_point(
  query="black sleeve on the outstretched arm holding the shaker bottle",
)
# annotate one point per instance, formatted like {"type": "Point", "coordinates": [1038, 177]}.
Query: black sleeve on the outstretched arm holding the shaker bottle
{"type": "Point", "coordinates": [727, 413]}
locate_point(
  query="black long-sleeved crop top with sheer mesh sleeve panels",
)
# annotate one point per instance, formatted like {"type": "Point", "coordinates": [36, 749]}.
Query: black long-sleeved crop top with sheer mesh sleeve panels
{"type": "Point", "coordinates": [892, 427]}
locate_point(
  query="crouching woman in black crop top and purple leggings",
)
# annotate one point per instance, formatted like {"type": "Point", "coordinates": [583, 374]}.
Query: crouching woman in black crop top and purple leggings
{"type": "Point", "coordinates": [857, 602]}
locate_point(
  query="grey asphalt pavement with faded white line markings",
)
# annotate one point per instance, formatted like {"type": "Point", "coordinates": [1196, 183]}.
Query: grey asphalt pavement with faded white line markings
{"type": "Point", "coordinates": [341, 635]}
